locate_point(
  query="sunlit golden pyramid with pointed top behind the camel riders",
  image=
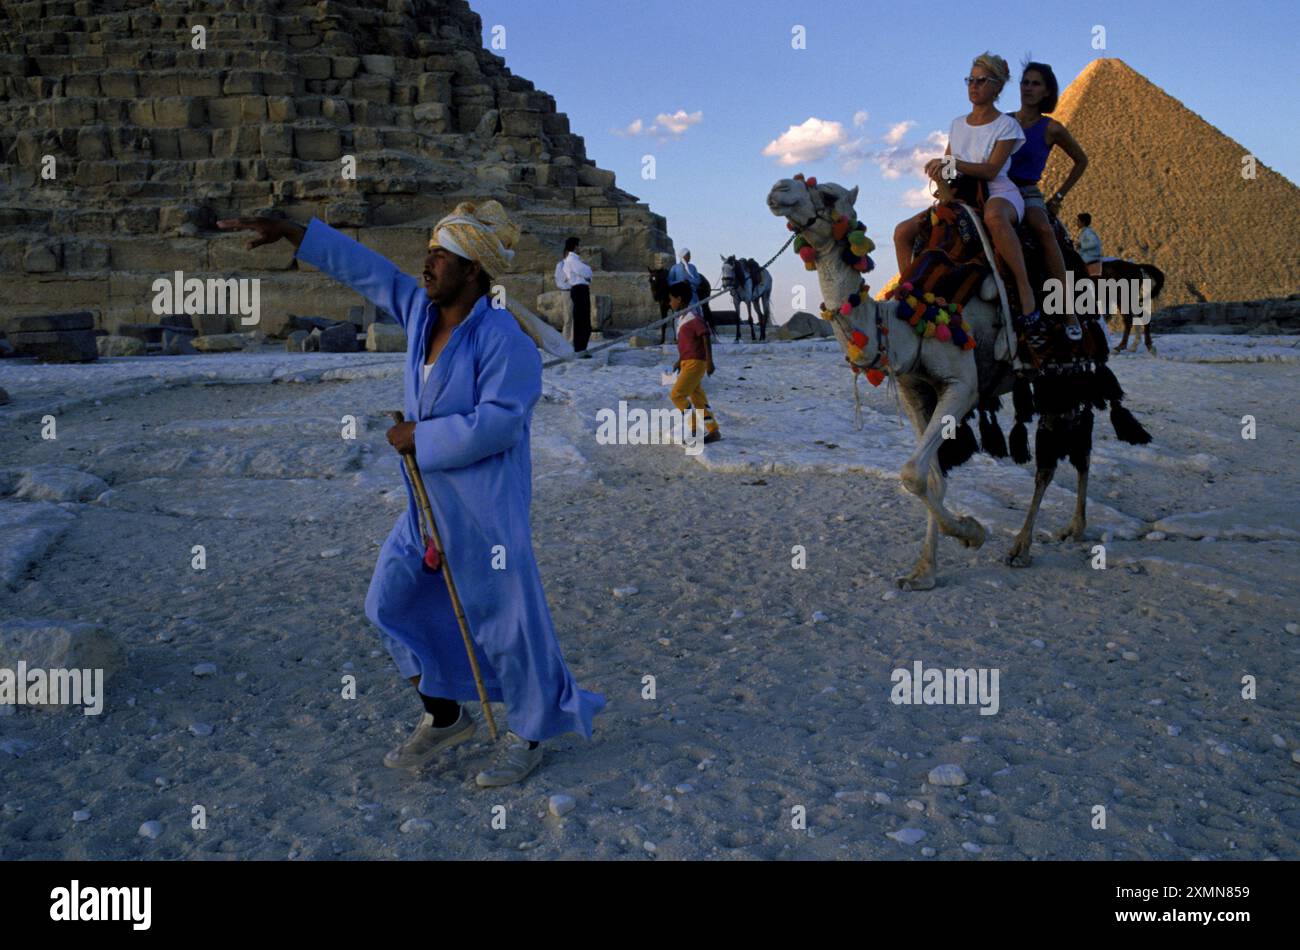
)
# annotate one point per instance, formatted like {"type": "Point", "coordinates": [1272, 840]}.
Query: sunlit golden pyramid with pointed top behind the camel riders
{"type": "Point", "coordinates": [1165, 186]}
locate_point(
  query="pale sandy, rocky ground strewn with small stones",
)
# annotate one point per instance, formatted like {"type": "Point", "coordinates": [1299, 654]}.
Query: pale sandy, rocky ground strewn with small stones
{"type": "Point", "coordinates": [1119, 688]}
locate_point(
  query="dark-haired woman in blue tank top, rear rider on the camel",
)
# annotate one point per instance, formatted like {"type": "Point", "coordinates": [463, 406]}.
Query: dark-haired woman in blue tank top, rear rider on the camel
{"type": "Point", "coordinates": [1039, 93]}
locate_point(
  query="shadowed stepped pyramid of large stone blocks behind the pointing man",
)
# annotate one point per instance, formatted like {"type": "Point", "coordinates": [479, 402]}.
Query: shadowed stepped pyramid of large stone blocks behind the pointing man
{"type": "Point", "coordinates": [154, 141]}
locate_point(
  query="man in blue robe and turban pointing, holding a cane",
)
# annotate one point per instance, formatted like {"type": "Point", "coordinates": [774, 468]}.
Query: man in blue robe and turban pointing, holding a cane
{"type": "Point", "coordinates": [473, 380]}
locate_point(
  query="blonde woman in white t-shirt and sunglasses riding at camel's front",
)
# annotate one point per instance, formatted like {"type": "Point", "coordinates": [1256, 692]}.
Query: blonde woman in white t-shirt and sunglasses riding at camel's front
{"type": "Point", "coordinates": [983, 144]}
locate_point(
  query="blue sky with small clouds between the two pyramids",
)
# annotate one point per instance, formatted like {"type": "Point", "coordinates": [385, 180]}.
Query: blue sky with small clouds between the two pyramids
{"type": "Point", "coordinates": [610, 64]}
